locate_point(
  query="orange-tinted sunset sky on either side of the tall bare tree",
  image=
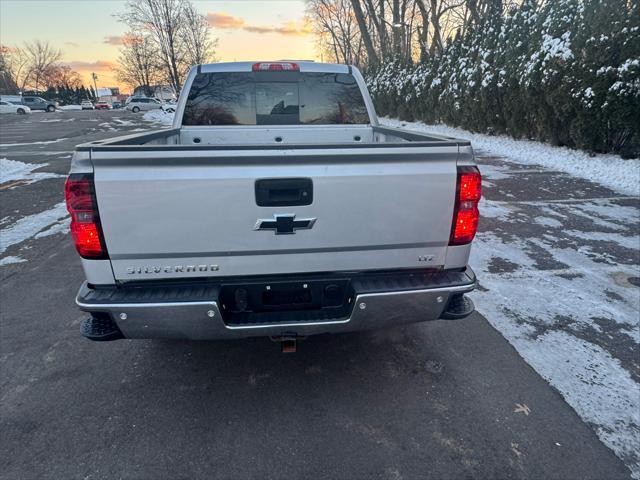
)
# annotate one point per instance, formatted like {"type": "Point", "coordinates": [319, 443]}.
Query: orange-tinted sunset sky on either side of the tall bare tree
{"type": "Point", "coordinates": [88, 33]}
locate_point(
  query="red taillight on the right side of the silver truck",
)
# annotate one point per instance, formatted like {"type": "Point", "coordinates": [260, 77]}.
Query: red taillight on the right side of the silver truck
{"type": "Point", "coordinates": [465, 213]}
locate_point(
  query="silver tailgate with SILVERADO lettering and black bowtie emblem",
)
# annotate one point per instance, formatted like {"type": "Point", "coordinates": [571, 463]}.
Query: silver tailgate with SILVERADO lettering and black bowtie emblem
{"type": "Point", "coordinates": [194, 213]}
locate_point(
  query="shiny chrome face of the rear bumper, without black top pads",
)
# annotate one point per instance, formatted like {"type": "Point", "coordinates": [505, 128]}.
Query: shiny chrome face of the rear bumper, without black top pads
{"type": "Point", "coordinates": [200, 318]}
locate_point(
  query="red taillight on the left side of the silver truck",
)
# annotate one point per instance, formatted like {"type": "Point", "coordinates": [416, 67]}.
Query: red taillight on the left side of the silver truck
{"type": "Point", "coordinates": [86, 231]}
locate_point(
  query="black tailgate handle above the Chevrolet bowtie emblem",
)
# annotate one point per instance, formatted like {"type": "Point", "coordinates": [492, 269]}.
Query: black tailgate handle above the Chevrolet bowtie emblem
{"type": "Point", "coordinates": [284, 192]}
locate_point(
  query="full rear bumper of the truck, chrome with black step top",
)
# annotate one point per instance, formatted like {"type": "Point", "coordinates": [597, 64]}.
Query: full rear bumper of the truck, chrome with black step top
{"type": "Point", "coordinates": [192, 311]}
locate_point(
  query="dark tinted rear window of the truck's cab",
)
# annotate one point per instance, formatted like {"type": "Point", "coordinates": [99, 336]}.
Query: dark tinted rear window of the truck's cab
{"type": "Point", "coordinates": [274, 98]}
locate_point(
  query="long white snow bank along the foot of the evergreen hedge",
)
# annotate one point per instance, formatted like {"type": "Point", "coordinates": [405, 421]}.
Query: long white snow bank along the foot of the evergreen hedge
{"type": "Point", "coordinates": [610, 171]}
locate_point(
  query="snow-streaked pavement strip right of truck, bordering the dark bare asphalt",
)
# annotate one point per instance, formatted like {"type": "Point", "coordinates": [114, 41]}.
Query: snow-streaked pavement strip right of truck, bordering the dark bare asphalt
{"type": "Point", "coordinates": [558, 258]}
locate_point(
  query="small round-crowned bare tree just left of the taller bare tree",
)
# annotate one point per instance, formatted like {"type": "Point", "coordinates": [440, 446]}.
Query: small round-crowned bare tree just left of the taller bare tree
{"type": "Point", "coordinates": [137, 64]}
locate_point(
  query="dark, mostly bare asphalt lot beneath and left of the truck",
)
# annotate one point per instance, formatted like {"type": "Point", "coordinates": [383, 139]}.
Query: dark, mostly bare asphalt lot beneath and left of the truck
{"type": "Point", "coordinates": [430, 400]}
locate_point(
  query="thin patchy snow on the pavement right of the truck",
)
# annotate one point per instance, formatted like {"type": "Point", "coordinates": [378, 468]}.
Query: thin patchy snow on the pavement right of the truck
{"type": "Point", "coordinates": [561, 301]}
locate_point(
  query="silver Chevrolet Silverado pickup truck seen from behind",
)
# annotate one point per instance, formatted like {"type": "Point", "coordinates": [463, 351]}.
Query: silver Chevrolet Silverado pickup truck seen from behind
{"type": "Point", "coordinates": [275, 206]}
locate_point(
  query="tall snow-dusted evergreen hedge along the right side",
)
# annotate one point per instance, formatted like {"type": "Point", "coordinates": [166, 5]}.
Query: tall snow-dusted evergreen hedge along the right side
{"type": "Point", "coordinates": [565, 72]}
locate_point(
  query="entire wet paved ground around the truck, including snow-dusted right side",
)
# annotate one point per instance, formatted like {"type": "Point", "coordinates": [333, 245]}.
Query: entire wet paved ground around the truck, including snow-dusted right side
{"type": "Point", "coordinates": [439, 399]}
